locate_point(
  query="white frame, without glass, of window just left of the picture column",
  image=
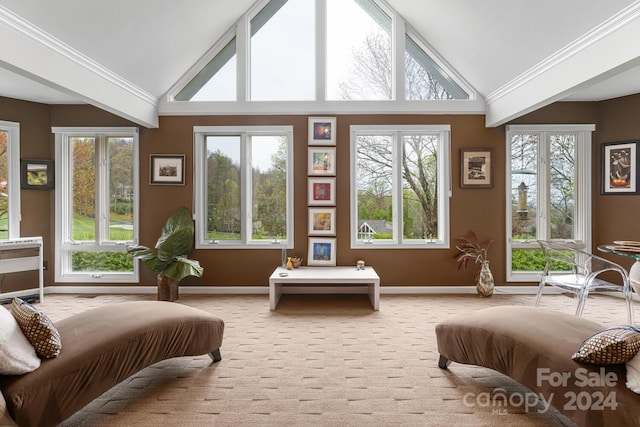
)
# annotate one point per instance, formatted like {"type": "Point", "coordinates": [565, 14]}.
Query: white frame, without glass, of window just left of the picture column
{"type": "Point", "coordinates": [200, 186]}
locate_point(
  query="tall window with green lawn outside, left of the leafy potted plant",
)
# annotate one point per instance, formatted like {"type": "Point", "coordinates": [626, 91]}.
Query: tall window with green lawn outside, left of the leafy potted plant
{"type": "Point", "coordinates": [96, 204]}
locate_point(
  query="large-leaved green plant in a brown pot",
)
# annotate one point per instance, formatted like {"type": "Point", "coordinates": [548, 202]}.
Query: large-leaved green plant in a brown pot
{"type": "Point", "coordinates": [170, 260]}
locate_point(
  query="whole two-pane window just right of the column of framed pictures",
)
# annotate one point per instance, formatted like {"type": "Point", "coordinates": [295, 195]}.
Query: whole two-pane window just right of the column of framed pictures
{"type": "Point", "coordinates": [400, 186]}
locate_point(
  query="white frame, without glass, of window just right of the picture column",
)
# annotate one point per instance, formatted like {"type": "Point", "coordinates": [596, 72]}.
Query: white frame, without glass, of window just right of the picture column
{"type": "Point", "coordinates": [442, 241]}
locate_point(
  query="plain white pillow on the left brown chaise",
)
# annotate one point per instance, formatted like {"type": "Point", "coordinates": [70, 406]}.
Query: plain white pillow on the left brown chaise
{"type": "Point", "coordinates": [17, 355]}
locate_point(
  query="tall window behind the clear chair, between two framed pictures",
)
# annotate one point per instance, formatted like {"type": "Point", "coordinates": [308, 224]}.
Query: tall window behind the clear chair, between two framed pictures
{"type": "Point", "coordinates": [549, 193]}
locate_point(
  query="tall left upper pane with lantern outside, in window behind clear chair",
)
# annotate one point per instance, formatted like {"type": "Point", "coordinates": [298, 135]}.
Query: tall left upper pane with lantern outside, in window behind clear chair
{"type": "Point", "coordinates": [524, 204]}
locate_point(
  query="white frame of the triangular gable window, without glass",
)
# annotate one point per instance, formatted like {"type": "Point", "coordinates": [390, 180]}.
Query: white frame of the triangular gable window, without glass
{"type": "Point", "coordinates": [244, 105]}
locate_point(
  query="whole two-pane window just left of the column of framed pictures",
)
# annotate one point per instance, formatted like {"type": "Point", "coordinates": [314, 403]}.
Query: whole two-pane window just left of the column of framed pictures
{"type": "Point", "coordinates": [243, 186]}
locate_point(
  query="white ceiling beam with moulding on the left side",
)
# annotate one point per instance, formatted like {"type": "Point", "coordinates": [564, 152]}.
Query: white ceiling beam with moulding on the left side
{"type": "Point", "coordinates": [33, 53]}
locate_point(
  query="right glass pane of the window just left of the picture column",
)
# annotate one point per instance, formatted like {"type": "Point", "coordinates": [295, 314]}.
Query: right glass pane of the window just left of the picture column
{"type": "Point", "coordinates": [269, 187]}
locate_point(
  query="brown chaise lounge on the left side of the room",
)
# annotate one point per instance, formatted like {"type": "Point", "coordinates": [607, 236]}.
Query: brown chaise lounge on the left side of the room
{"type": "Point", "coordinates": [102, 347]}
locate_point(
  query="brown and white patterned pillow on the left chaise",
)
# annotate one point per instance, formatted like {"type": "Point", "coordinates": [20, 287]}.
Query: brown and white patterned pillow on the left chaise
{"type": "Point", "coordinates": [38, 328]}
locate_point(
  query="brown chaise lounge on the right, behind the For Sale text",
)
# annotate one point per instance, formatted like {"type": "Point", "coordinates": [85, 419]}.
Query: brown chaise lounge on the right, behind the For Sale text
{"type": "Point", "coordinates": [534, 347]}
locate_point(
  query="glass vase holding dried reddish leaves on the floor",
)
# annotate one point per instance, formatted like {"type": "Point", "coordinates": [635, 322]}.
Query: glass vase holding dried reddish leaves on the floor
{"type": "Point", "coordinates": [470, 248]}
